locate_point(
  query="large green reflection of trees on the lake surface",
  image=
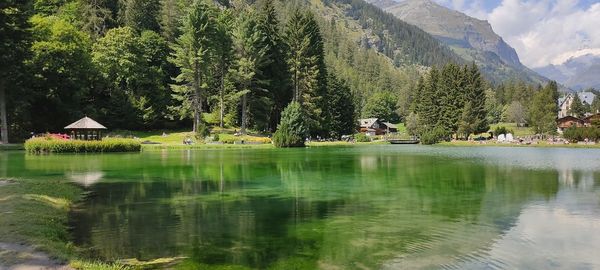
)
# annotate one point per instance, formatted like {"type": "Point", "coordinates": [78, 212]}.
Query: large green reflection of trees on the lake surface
{"type": "Point", "coordinates": [306, 208]}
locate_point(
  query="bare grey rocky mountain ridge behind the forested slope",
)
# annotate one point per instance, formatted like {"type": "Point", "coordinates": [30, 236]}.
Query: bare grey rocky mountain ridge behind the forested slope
{"type": "Point", "coordinates": [472, 39]}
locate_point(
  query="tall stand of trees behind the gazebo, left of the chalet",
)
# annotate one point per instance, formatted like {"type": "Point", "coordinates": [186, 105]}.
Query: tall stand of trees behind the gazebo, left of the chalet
{"type": "Point", "coordinates": [136, 64]}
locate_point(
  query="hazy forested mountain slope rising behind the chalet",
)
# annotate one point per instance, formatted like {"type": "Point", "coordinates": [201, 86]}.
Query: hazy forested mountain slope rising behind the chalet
{"type": "Point", "coordinates": [373, 51]}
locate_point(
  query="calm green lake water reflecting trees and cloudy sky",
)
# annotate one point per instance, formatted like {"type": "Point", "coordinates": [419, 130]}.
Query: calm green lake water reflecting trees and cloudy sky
{"type": "Point", "coordinates": [373, 207]}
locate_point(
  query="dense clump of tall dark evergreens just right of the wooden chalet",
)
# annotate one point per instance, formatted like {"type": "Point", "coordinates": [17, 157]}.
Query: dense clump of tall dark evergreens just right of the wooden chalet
{"type": "Point", "coordinates": [449, 101]}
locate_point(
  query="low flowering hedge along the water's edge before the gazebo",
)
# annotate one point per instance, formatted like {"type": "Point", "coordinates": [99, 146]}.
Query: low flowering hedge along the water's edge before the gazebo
{"type": "Point", "coordinates": [51, 145]}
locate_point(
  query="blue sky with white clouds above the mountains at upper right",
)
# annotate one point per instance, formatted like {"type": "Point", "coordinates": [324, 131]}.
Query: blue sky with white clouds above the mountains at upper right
{"type": "Point", "coordinates": [542, 31]}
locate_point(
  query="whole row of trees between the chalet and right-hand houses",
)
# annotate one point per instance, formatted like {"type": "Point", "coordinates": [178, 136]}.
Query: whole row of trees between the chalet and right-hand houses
{"type": "Point", "coordinates": [457, 101]}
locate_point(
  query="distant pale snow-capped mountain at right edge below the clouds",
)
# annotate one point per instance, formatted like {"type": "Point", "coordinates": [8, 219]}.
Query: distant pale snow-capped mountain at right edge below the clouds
{"type": "Point", "coordinates": [578, 72]}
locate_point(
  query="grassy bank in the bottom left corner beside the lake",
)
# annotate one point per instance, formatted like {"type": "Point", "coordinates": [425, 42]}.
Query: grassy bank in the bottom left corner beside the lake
{"type": "Point", "coordinates": [33, 215]}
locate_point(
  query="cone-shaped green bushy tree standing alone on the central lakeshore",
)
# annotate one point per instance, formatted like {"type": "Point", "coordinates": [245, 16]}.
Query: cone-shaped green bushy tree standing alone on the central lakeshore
{"type": "Point", "coordinates": [292, 129]}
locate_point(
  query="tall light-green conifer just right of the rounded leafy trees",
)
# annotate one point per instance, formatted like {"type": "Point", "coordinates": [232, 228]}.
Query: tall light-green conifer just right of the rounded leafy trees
{"type": "Point", "coordinates": [192, 55]}
